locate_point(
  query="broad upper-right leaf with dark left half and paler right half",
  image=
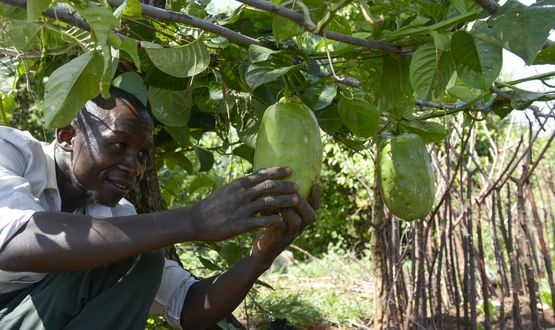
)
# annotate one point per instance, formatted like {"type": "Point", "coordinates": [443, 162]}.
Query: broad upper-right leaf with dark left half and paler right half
{"type": "Point", "coordinates": [478, 62]}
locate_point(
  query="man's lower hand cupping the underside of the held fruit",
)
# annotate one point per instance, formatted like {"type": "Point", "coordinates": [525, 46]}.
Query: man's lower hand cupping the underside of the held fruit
{"type": "Point", "coordinates": [271, 241]}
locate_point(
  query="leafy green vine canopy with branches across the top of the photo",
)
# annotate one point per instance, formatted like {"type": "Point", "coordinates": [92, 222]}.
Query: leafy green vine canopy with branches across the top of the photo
{"type": "Point", "coordinates": [364, 67]}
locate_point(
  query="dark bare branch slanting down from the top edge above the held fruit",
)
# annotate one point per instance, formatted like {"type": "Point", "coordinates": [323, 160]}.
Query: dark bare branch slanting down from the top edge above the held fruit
{"type": "Point", "coordinates": [300, 20]}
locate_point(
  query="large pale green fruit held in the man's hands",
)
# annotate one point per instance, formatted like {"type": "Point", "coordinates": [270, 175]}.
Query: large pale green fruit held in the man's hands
{"type": "Point", "coordinates": [289, 135]}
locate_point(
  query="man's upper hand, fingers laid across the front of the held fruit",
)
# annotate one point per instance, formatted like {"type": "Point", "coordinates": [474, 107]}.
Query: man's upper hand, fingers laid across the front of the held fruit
{"type": "Point", "coordinates": [245, 204]}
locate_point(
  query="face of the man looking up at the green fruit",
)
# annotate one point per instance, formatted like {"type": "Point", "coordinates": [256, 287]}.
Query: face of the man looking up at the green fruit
{"type": "Point", "coordinates": [110, 151]}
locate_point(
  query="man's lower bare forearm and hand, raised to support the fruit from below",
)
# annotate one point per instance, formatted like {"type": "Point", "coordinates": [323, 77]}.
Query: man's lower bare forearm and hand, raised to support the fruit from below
{"type": "Point", "coordinates": [210, 300]}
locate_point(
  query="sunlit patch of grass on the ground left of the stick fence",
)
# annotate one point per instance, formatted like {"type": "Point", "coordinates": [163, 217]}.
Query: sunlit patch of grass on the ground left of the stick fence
{"type": "Point", "coordinates": [332, 292]}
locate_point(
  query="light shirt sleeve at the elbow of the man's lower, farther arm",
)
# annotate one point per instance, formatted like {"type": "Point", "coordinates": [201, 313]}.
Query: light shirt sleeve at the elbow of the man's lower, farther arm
{"type": "Point", "coordinates": [172, 292]}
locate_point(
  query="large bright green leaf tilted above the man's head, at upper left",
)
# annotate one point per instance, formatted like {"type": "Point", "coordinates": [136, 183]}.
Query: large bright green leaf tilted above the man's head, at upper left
{"type": "Point", "coordinates": [70, 87]}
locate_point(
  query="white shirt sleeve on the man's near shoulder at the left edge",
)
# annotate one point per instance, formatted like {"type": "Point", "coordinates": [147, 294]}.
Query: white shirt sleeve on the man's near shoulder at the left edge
{"type": "Point", "coordinates": [17, 202]}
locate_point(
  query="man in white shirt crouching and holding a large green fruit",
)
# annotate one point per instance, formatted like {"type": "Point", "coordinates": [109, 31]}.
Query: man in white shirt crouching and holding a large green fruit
{"type": "Point", "coordinates": [73, 252]}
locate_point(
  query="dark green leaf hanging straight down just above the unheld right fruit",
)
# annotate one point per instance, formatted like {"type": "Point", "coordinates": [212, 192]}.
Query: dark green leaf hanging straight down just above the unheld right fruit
{"type": "Point", "coordinates": [396, 96]}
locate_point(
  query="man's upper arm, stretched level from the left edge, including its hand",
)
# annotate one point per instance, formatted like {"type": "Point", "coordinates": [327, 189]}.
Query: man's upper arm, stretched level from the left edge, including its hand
{"type": "Point", "coordinates": [56, 241]}
